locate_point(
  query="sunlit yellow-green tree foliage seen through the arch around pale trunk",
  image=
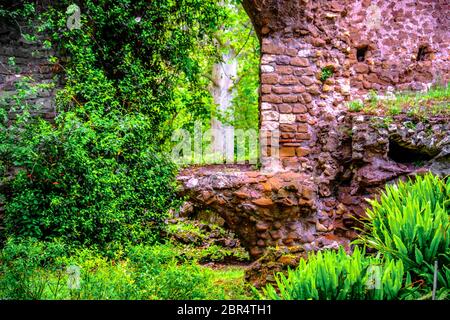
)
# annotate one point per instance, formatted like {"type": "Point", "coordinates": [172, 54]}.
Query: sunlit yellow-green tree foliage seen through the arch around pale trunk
{"type": "Point", "coordinates": [237, 39]}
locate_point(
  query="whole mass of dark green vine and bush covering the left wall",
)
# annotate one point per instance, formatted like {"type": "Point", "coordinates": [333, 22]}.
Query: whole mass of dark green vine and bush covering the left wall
{"type": "Point", "coordinates": [98, 175]}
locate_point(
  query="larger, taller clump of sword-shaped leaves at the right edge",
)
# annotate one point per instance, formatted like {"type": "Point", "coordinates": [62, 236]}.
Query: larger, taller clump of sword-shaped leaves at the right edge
{"type": "Point", "coordinates": [410, 222]}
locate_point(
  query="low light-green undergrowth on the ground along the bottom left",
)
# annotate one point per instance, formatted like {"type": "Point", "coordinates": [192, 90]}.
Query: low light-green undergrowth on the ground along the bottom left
{"type": "Point", "coordinates": [37, 270]}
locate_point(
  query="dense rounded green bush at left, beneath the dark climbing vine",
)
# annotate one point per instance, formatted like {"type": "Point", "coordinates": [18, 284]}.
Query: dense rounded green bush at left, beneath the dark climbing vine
{"type": "Point", "coordinates": [91, 183]}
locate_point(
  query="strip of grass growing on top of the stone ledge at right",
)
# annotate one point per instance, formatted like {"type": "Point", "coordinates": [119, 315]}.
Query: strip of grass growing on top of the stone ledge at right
{"type": "Point", "coordinates": [434, 102]}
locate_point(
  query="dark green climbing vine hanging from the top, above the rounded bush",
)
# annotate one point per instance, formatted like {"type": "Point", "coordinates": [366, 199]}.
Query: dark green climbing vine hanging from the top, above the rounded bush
{"type": "Point", "coordinates": [141, 66]}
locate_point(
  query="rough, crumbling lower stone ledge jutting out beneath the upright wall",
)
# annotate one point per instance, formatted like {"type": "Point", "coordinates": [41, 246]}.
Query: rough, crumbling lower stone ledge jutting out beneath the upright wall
{"type": "Point", "coordinates": [292, 210]}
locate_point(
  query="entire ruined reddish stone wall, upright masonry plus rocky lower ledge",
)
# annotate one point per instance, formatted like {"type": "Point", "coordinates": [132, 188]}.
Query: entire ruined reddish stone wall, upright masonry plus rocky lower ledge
{"type": "Point", "coordinates": [329, 159]}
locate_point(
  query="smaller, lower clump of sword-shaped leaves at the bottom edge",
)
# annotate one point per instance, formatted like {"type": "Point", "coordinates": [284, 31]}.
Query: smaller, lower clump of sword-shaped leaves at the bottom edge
{"type": "Point", "coordinates": [330, 275]}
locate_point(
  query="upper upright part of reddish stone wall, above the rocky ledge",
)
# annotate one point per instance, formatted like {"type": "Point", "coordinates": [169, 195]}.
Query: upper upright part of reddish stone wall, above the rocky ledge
{"type": "Point", "coordinates": [369, 45]}
